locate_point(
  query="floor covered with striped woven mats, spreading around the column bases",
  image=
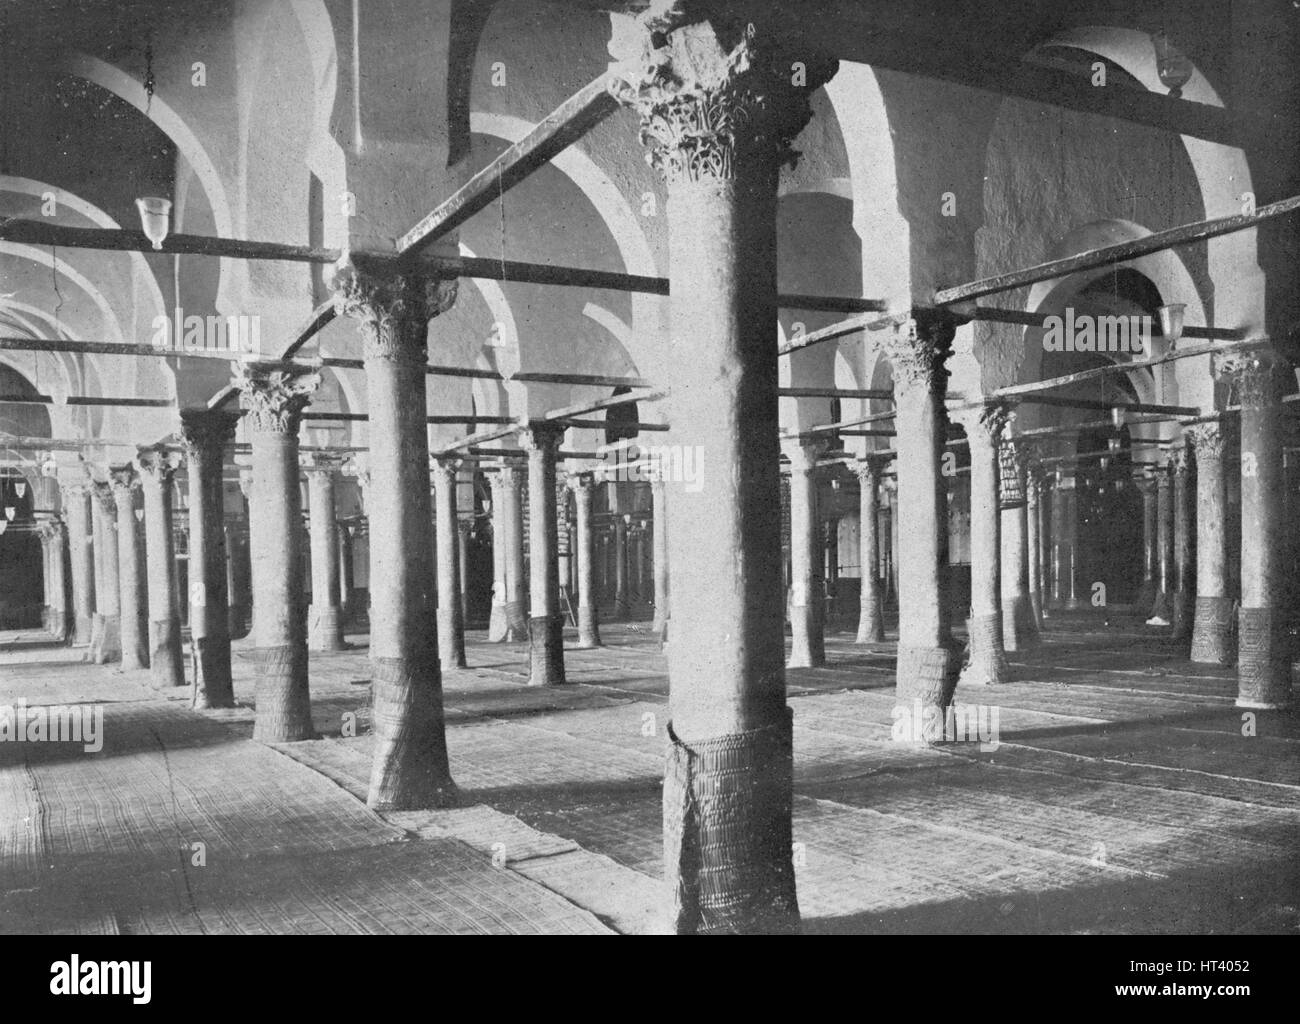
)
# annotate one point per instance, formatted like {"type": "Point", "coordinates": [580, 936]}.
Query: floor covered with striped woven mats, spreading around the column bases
{"type": "Point", "coordinates": [1125, 795]}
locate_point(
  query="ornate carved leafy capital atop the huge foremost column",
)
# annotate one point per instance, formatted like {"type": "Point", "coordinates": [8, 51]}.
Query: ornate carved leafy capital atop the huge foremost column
{"type": "Point", "coordinates": [716, 92]}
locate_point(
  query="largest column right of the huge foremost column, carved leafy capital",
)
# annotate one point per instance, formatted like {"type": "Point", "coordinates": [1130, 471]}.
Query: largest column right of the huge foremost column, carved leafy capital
{"type": "Point", "coordinates": [929, 663]}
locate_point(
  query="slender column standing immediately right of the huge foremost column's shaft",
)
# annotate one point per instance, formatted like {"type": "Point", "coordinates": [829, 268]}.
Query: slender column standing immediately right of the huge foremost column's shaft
{"type": "Point", "coordinates": [808, 639]}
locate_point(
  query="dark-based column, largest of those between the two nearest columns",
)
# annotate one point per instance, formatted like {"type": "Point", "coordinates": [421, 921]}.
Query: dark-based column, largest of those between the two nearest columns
{"type": "Point", "coordinates": [547, 621]}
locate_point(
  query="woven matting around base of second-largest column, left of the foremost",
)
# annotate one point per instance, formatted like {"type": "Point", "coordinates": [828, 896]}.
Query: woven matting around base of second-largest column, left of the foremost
{"type": "Point", "coordinates": [410, 770]}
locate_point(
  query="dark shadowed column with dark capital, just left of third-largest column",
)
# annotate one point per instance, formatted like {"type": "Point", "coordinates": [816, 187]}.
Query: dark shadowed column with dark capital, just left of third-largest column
{"type": "Point", "coordinates": [206, 433]}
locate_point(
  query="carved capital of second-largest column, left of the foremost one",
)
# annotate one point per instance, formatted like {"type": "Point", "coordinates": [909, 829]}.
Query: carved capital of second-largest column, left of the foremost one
{"type": "Point", "coordinates": [393, 305]}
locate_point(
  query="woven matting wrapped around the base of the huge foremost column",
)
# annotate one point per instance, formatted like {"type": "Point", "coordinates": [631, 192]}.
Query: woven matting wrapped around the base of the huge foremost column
{"type": "Point", "coordinates": [727, 808]}
